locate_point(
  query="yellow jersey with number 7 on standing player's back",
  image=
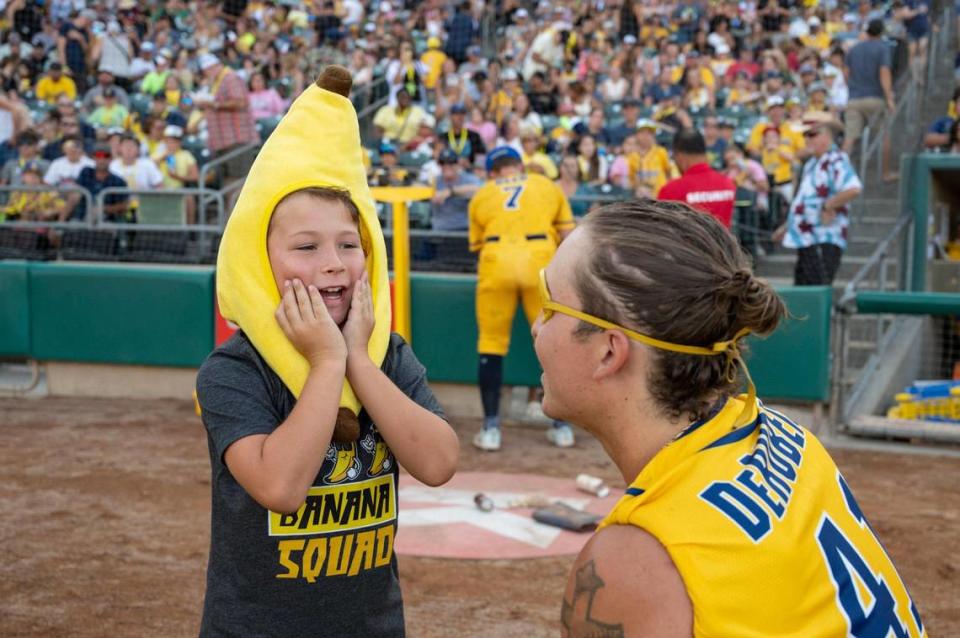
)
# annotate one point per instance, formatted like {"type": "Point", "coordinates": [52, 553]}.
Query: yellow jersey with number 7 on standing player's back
{"type": "Point", "coordinates": [516, 208]}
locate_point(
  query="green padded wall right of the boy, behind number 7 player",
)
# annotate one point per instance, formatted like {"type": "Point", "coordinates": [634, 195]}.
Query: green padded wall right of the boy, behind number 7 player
{"type": "Point", "coordinates": [791, 364]}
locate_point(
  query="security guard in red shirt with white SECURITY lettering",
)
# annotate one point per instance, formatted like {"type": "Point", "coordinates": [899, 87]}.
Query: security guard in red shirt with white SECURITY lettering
{"type": "Point", "coordinates": [700, 186]}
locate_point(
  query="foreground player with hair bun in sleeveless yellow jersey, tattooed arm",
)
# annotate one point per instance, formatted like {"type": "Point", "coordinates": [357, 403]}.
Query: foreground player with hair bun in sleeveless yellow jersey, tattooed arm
{"type": "Point", "coordinates": [737, 521]}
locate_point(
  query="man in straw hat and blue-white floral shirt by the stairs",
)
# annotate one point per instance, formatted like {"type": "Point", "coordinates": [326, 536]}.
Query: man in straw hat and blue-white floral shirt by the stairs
{"type": "Point", "coordinates": [818, 220]}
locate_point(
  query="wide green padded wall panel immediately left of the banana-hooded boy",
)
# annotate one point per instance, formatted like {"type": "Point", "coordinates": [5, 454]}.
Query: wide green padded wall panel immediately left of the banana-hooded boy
{"type": "Point", "coordinates": [121, 314]}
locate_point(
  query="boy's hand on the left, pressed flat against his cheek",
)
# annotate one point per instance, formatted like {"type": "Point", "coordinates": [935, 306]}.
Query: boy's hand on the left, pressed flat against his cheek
{"type": "Point", "coordinates": [306, 322]}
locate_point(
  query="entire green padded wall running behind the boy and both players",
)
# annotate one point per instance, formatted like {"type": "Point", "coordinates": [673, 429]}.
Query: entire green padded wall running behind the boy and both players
{"type": "Point", "coordinates": [163, 315]}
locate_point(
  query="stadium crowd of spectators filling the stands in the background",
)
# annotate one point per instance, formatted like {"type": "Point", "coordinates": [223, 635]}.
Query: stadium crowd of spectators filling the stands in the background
{"type": "Point", "coordinates": [589, 93]}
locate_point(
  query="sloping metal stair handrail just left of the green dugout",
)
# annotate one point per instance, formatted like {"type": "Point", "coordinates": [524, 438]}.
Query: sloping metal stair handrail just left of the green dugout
{"type": "Point", "coordinates": [852, 331]}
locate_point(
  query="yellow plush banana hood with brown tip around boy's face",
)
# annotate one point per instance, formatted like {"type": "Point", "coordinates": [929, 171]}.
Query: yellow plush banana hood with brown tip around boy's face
{"type": "Point", "coordinates": [316, 144]}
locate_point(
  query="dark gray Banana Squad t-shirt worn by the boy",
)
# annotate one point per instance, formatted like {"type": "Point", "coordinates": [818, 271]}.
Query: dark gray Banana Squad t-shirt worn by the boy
{"type": "Point", "coordinates": [329, 569]}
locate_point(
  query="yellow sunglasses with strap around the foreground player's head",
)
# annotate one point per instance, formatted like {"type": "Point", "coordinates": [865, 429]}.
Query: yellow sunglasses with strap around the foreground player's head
{"type": "Point", "coordinates": [730, 348]}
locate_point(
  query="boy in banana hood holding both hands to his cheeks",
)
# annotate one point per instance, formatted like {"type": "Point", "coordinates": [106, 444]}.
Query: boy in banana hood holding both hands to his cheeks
{"type": "Point", "coordinates": [310, 407]}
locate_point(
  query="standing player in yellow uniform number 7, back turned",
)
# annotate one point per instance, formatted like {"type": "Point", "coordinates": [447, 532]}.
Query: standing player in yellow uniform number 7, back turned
{"type": "Point", "coordinates": [516, 222]}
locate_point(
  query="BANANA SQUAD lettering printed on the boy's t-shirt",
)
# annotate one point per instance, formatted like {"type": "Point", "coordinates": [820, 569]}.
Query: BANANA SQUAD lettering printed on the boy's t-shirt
{"type": "Point", "coordinates": [329, 515]}
